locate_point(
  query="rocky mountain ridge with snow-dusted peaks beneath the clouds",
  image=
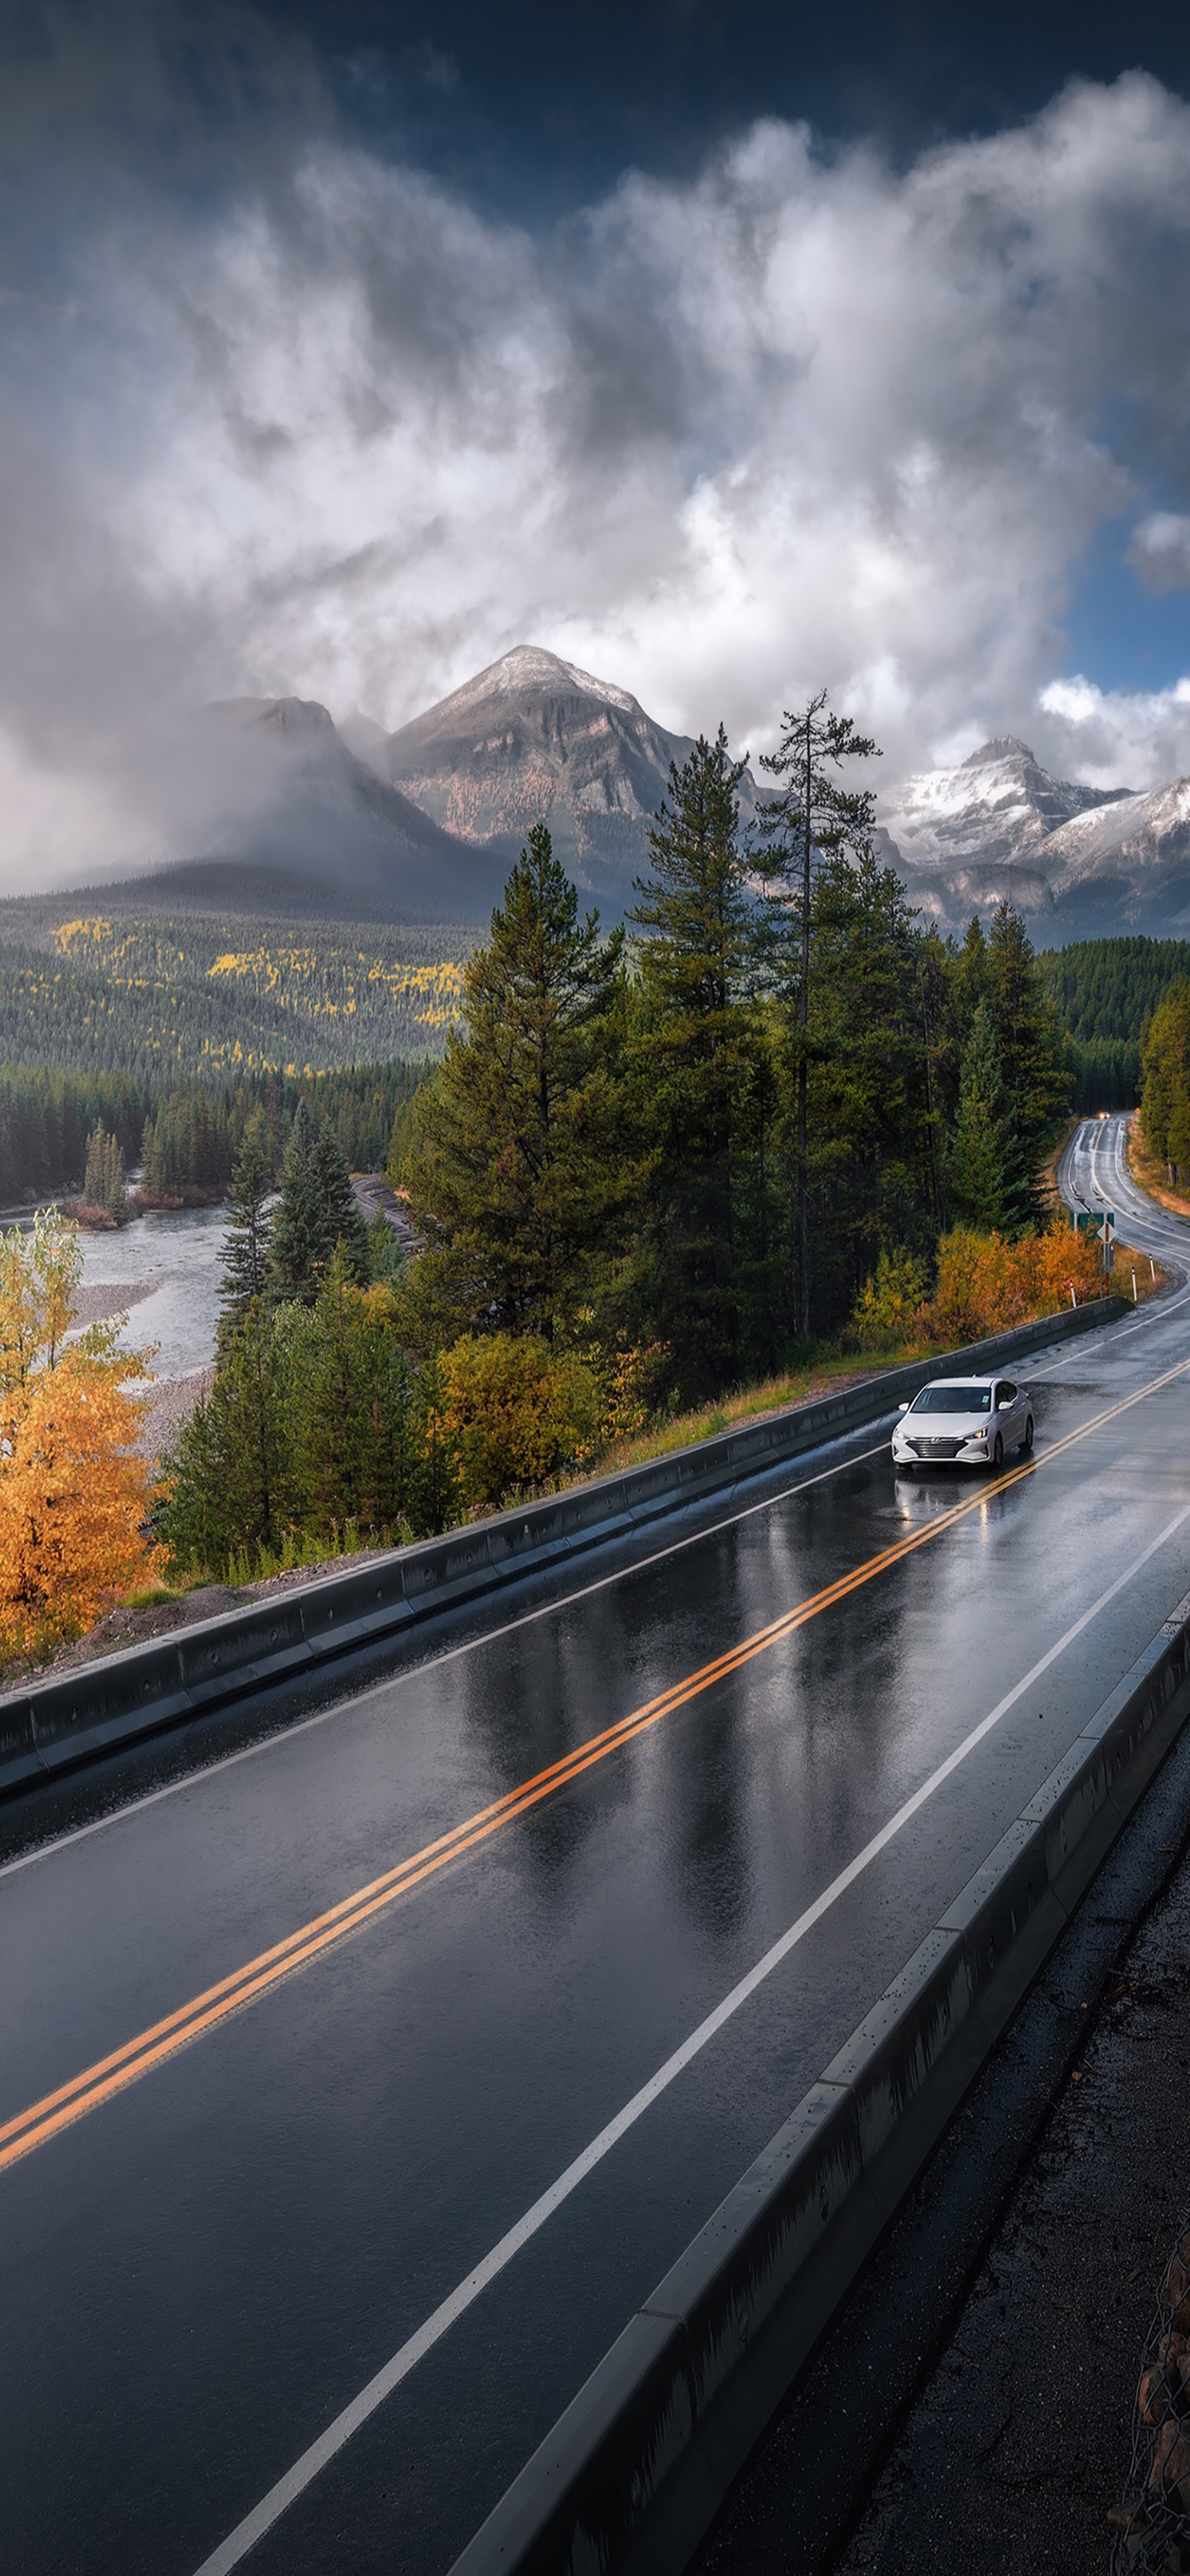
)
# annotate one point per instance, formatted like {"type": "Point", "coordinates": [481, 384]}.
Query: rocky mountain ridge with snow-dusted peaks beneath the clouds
{"type": "Point", "coordinates": [426, 823]}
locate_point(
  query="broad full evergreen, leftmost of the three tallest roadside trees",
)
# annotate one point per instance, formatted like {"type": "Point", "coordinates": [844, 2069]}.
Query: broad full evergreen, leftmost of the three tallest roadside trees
{"type": "Point", "coordinates": [516, 1168]}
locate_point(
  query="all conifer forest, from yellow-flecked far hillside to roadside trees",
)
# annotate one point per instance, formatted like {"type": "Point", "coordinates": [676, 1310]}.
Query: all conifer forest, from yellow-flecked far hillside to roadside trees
{"type": "Point", "coordinates": [643, 1166]}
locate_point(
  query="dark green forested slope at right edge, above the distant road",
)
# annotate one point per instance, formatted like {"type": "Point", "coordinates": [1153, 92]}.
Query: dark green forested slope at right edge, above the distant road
{"type": "Point", "coordinates": [1106, 993]}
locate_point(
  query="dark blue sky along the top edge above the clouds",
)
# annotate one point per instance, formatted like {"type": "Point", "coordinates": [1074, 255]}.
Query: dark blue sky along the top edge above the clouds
{"type": "Point", "coordinates": [547, 104]}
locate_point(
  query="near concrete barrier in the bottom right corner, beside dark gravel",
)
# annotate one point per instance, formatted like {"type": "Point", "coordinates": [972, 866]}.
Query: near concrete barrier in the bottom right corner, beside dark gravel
{"type": "Point", "coordinates": [643, 2461]}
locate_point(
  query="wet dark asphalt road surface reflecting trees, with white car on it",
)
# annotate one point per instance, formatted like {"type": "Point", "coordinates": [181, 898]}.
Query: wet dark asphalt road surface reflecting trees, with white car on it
{"type": "Point", "coordinates": [207, 2268]}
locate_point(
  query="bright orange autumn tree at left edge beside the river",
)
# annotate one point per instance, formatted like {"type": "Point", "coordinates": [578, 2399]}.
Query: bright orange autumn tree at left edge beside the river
{"type": "Point", "coordinates": [73, 1490]}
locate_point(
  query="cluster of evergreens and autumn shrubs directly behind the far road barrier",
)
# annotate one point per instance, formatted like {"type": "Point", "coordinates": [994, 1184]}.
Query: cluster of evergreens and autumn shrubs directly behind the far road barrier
{"type": "Point", "coordinates": [643, 1176]}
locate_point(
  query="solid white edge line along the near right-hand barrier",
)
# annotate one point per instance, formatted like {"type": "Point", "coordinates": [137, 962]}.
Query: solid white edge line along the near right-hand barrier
{"type": "Point", "coordinates": [501, 2255]}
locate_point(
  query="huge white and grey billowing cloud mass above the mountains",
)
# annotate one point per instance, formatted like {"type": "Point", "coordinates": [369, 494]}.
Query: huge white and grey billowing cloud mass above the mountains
{"type": "Point", "coordinates": [797, 421]}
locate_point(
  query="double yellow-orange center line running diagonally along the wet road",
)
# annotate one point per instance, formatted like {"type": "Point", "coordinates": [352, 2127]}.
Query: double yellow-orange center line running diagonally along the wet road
{"type": "Point", "coordinates": [267, 1972]}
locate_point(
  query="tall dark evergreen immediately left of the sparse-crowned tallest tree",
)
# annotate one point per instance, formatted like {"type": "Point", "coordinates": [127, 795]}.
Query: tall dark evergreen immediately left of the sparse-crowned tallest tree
{"type": "Point", "coordinates": [694, 1060]}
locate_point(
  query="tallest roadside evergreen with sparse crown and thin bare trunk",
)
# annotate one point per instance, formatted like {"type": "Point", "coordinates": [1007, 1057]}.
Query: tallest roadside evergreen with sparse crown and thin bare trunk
{"type": "Point", "coordinates": [810, 815]}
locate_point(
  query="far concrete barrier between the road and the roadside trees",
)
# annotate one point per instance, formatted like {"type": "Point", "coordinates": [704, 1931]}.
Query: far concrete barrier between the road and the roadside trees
{"type": "Point", "coordinates": [218, 1663]}
